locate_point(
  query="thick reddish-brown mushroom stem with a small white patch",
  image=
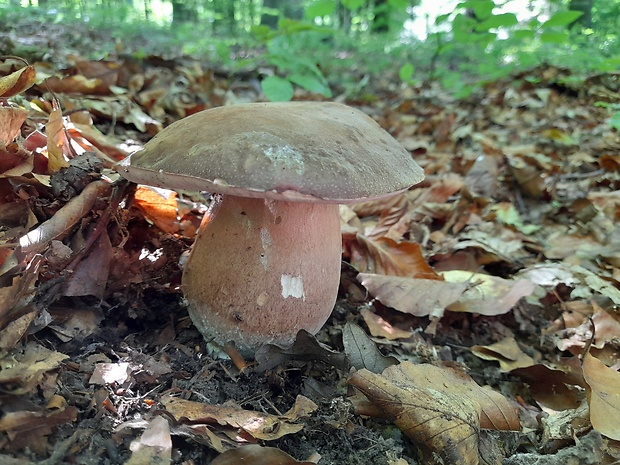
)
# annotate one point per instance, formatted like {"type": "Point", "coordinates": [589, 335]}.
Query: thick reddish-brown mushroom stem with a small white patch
{"type": "Point", "coordinates": [261, 270]}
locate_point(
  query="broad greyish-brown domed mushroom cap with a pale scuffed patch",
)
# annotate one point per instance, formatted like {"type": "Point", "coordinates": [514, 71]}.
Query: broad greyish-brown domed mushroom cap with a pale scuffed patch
{"type": "Point", "coordinates": [295, 151]}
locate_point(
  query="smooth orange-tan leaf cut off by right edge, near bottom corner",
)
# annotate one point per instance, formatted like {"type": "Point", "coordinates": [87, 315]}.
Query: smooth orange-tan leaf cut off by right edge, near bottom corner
{"type": "Point", "coordinates": [603, 396]}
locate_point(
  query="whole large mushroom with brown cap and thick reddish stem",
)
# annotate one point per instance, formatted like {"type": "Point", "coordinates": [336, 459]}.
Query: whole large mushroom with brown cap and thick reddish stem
{"type": "Point", "coordinates": [266, 260]}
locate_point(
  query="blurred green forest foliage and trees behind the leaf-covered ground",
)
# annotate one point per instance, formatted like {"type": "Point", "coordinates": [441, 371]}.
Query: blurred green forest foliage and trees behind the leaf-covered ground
{"type": "Point", "coordinates": [320, 45]}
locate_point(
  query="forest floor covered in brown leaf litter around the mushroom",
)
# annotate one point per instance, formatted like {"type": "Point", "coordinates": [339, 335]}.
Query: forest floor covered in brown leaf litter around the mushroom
{"type": "Point", "coordinates": [477, 319]}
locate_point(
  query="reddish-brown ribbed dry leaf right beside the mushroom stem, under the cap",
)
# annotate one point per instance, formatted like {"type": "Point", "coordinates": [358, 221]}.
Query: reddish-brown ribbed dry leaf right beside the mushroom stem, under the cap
{"type": "Point", "coordinates": [388, 257]}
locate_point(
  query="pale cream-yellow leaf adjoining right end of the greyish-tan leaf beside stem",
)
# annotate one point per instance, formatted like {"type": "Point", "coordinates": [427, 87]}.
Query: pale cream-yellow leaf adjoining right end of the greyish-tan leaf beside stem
{"type": "Point", "coordinates": [486, 294]}
